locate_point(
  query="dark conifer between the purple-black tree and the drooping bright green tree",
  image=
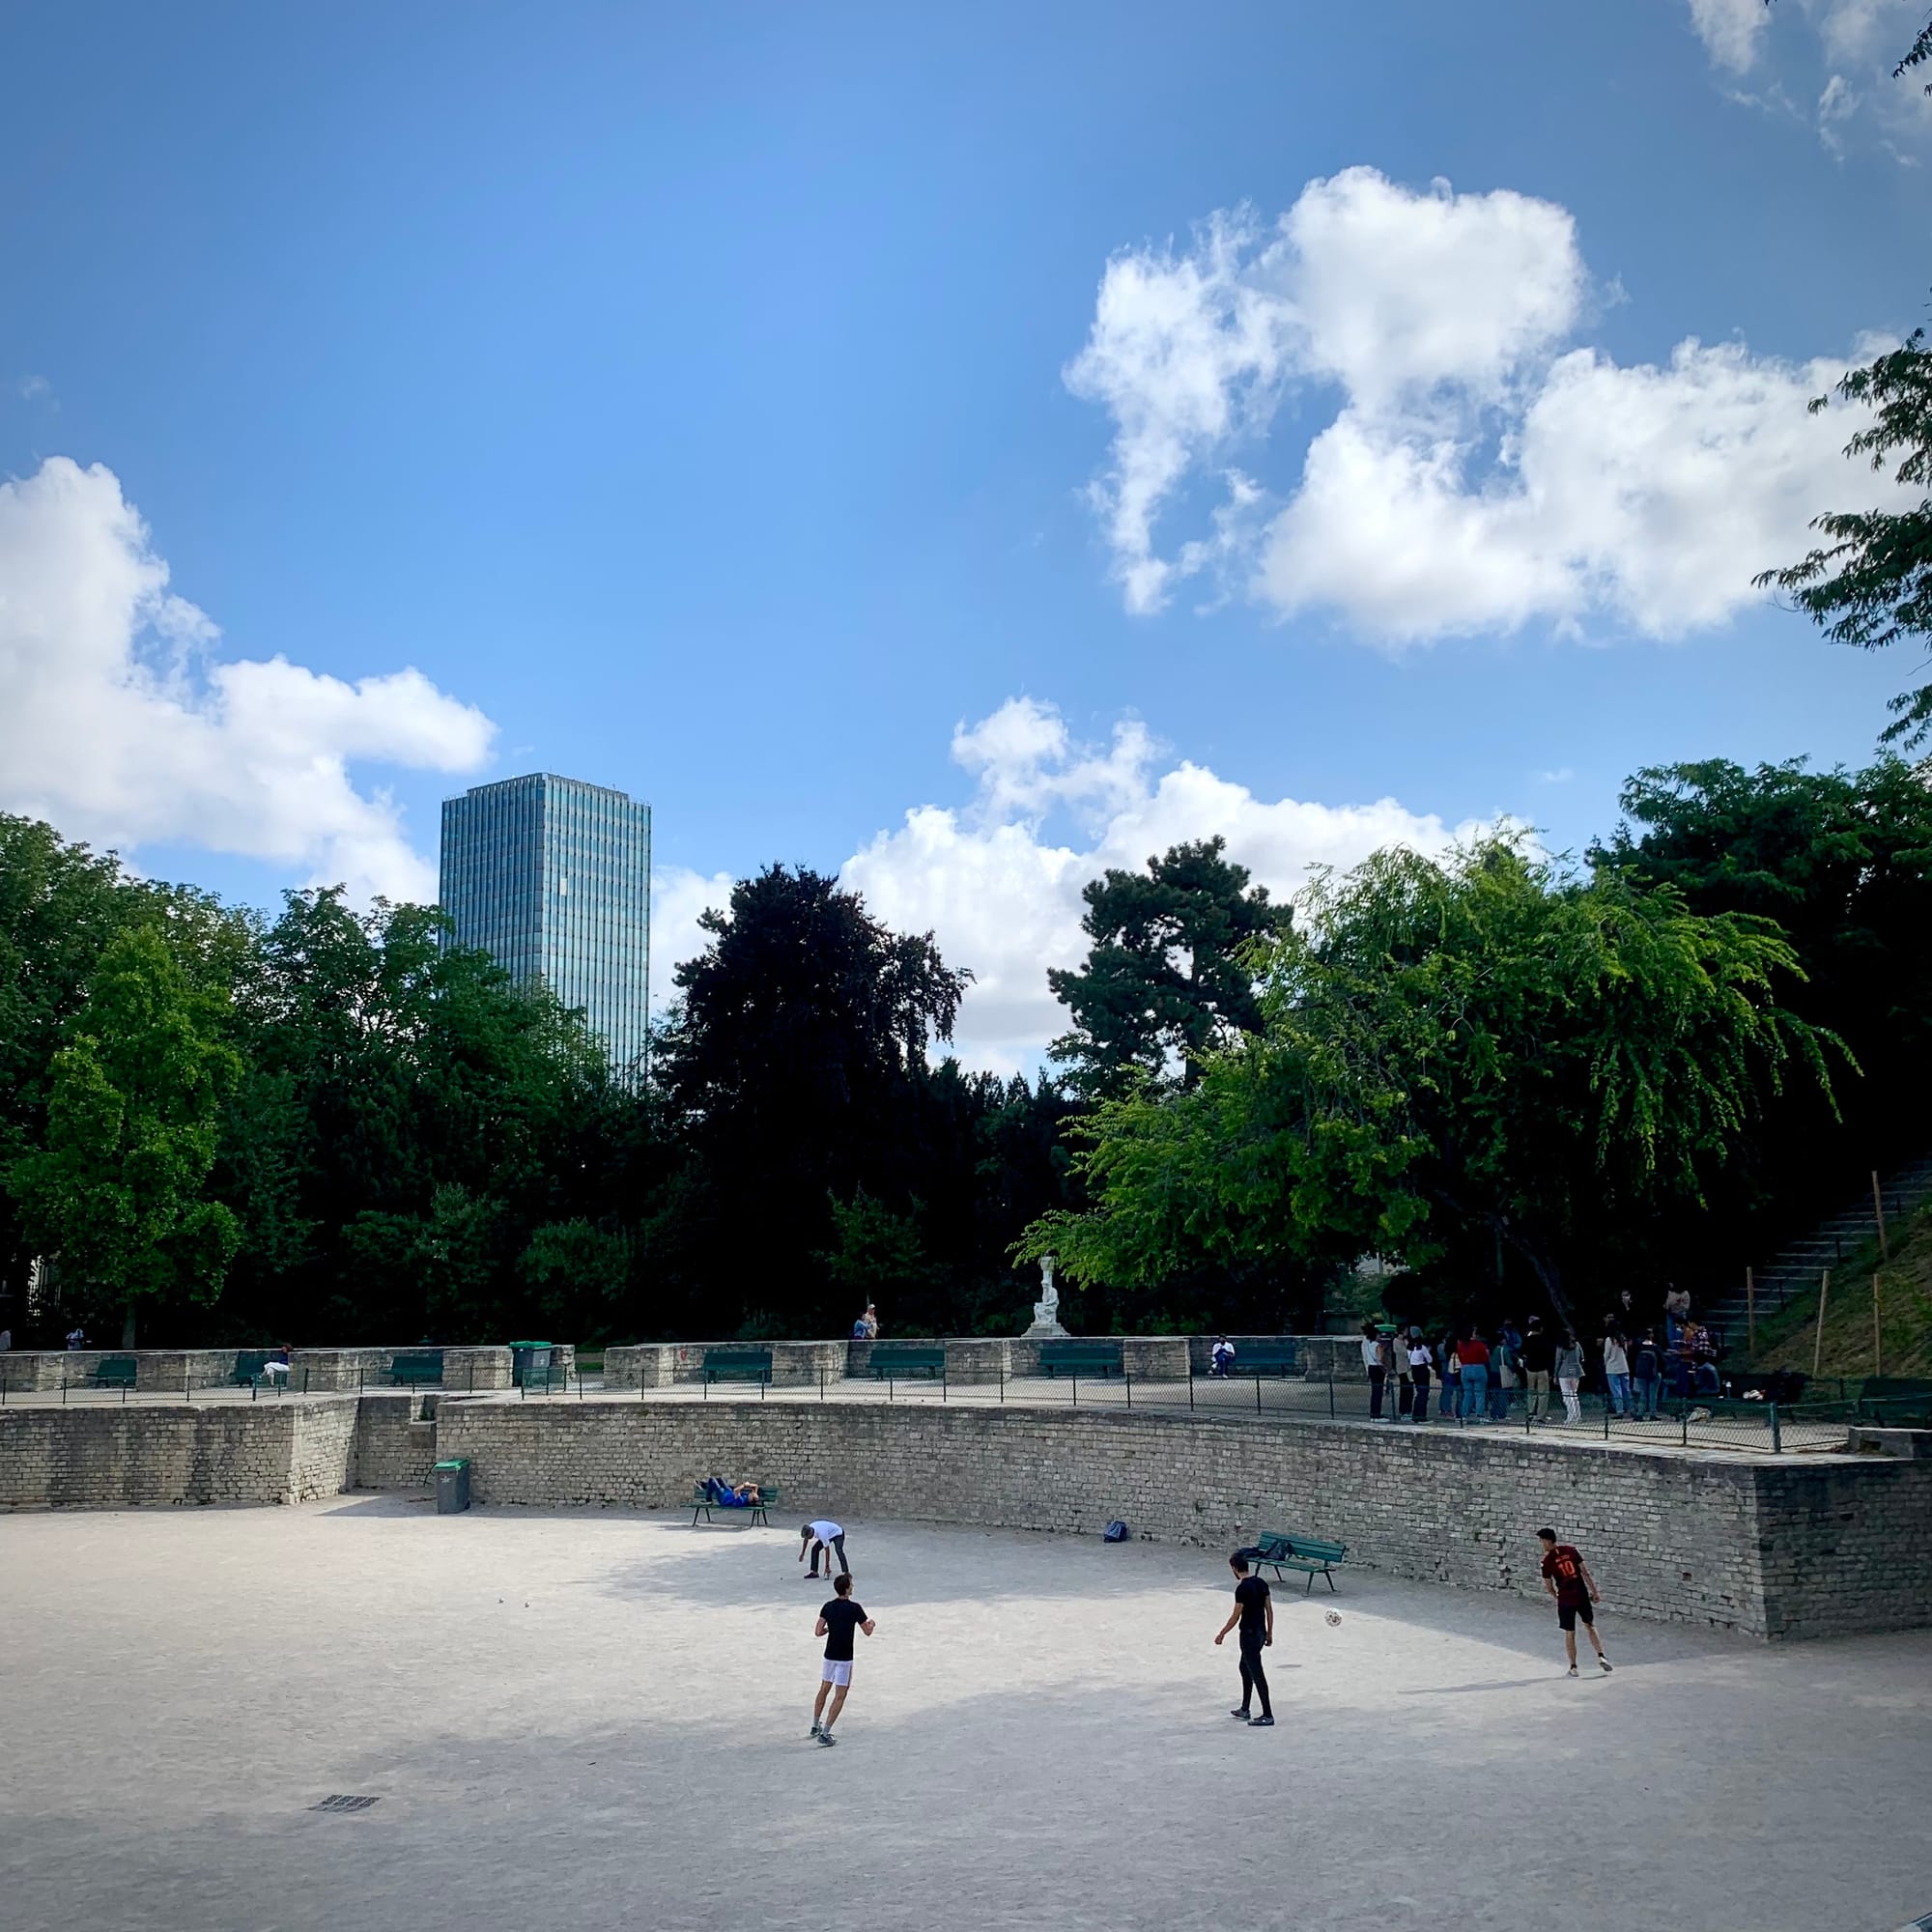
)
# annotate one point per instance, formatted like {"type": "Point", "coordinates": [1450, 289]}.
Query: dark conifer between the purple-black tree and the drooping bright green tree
{"type": "Point", "coordinates": [1168, 971]}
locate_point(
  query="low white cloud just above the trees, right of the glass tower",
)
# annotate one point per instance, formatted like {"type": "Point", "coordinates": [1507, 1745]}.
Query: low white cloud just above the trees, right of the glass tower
{"type": "Point", "coordinates": [1004, 897]}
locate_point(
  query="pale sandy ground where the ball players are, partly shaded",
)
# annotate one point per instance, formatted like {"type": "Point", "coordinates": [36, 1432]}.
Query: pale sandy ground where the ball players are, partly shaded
{"type": "Point", "coordinates": [600, 1720]}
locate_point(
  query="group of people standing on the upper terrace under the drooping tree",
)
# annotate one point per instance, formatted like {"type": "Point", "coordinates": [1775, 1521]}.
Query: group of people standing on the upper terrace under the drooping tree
{"type": "Point", "coordinates": [1479, 1380]}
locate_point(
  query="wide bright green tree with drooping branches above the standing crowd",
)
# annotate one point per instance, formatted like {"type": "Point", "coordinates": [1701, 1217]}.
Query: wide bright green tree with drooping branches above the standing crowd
{"type": "Point", "coordinates": [1462, 1064]}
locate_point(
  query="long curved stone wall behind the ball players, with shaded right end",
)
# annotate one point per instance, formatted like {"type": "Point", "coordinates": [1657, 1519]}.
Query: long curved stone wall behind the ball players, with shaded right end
{"type": "Point", "coordinates": [1755, 1548]}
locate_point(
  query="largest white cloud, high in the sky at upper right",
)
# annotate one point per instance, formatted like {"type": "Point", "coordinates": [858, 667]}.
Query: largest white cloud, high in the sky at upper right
{"type": "Point", "coordinates": [1481, 472]}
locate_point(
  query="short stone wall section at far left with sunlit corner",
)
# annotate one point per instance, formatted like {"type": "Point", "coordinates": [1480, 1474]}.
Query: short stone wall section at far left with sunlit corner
{"type": "Point", "coordinates": [142, 1454]}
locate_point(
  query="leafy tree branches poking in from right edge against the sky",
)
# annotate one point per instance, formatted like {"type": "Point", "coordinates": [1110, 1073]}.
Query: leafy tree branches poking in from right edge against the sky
{"type": "Point", "coordinates": [1871, 584]}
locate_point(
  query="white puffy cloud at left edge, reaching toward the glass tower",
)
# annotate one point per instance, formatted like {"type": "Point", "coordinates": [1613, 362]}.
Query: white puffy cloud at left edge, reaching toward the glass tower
{"type": "Point", "coordinates": [121, 727]}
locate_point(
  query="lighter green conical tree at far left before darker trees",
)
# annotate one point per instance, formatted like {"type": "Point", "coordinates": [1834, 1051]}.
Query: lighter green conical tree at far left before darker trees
{"type": "Point", "coordinates": [119, 1191]}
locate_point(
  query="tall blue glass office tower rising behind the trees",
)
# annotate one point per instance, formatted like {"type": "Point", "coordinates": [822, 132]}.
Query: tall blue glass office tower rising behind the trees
{"type": "Point", "coordinates": [554, 878]}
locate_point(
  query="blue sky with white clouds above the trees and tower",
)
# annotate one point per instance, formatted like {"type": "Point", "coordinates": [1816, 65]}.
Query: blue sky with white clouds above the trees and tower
{"type": "Point", "coordinates": [718, 405]}
